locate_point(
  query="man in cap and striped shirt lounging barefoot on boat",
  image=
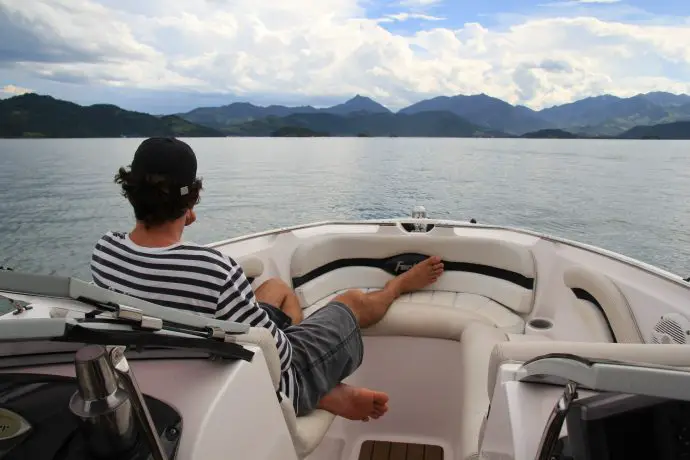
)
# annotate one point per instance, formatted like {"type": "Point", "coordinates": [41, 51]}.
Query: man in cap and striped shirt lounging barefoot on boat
{"type": "Point", "coordinates": [151, 262]}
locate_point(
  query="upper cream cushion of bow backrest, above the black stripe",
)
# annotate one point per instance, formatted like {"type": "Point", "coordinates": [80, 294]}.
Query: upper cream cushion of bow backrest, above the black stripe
{"type": "Point", "coordinates": [318, 251]}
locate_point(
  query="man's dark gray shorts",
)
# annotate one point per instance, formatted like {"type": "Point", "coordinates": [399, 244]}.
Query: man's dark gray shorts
{"type": "Point", "coordinates": [326, 348]}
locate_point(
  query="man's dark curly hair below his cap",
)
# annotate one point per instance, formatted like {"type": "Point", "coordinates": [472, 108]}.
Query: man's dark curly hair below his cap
{"type": "Point", "coordinates": [155, 198]}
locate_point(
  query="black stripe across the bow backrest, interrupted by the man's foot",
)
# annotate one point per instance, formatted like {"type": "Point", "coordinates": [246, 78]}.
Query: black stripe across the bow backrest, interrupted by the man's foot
{"type": "Point", "coordinates": [392, 264]}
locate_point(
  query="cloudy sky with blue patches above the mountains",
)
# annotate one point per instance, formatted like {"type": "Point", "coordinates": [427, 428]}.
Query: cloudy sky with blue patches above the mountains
{"type": "Point", "coordinates": [167, 56]}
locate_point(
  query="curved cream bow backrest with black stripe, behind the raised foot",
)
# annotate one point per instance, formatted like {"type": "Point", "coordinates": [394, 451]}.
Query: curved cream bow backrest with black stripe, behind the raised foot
{"type": "Point", "coordinates": [500, 270]}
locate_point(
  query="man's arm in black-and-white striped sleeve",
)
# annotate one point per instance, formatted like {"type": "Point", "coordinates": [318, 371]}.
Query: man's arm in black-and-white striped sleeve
{"type": "Point", "coordinates": [237, 302]}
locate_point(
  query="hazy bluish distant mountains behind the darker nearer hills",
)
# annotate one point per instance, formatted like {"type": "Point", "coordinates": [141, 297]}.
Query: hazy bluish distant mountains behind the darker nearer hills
{"type": "Point", "coordinates": [599, 116]}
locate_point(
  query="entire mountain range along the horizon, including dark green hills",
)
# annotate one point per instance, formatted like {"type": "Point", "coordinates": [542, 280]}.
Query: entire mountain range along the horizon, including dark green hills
{"type": "Point", "coordinates": [606, 116]}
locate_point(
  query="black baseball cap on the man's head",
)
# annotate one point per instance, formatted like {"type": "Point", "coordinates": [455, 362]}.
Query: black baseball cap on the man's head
{"type": "Point", "coordinates": [168, 157]}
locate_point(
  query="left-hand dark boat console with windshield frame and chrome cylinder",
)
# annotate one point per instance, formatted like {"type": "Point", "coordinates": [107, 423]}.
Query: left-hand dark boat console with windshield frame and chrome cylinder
{"type": "Point", "coordinates": [100, 413]}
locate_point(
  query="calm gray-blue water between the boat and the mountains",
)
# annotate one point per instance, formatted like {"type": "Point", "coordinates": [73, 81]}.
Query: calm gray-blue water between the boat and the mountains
{"type": "Point", "coordinates": [57, 196]}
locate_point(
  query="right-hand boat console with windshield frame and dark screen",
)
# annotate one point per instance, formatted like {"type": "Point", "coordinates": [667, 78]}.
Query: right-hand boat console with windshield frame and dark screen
{"type": "Point", "coordinates": [630, 411]}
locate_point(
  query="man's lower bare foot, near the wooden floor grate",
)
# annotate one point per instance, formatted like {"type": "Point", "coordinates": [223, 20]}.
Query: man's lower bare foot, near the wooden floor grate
{"type": "Point", "coordinates": [355, 403]}
